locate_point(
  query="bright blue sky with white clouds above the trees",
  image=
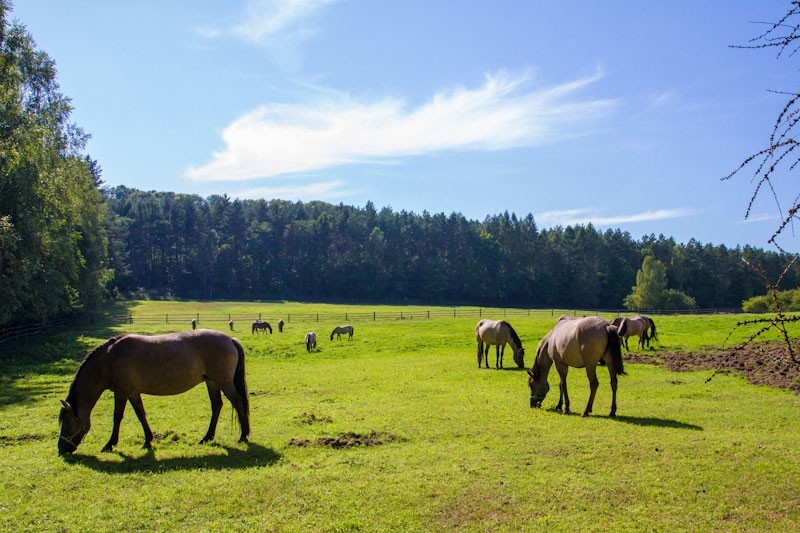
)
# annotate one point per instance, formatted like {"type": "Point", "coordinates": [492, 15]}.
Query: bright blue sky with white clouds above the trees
{"type": "Point", "coordinates": [625, 114]}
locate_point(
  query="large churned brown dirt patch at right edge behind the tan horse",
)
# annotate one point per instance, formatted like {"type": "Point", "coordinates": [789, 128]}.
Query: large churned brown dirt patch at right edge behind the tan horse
{"type": "Point", "coordinates": [762, 363]}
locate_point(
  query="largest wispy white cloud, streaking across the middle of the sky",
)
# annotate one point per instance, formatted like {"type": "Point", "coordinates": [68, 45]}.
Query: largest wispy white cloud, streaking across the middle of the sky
{"type": "Point", "coordinates": [502, 113]}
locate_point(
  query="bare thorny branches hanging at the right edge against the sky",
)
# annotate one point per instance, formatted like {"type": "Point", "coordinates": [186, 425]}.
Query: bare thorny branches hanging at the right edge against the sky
{"type": "Point", "coordinates": [779, 155]}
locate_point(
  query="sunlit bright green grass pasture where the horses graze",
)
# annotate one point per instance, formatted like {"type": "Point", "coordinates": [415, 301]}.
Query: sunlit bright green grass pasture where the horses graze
{"type": "Point", "coordinates": [454, 447]}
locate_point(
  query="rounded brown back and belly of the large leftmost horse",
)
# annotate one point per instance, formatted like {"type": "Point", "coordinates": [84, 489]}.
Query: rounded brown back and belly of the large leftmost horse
{"type": "Point", "coordinates": [172, 363]}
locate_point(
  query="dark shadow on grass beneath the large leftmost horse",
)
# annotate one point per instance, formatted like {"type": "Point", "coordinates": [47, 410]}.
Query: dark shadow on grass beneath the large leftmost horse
{"type": "Point", "coordinates": [235, 458]}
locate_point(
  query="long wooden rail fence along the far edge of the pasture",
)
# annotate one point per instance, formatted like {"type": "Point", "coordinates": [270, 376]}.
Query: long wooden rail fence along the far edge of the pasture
{"type": "Point", "coordinates": [212, 319]}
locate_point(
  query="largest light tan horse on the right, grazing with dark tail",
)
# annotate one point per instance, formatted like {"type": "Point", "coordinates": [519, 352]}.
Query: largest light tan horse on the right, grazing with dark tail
{"type": "Point", "coordinates": [578, 343]}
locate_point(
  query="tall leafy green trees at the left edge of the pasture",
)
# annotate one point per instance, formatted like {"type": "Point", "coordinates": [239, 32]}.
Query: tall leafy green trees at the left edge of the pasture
{"type": "Point", "coordinates": [54, 250]}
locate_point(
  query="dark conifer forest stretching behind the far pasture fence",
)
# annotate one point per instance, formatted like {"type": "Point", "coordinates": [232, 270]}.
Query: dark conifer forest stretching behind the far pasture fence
{"type": "Point", "coordinates": [186, 246]}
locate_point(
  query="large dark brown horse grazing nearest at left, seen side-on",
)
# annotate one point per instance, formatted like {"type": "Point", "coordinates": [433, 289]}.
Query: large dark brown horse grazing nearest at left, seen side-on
{"type": "Point", "coordinates": [132, 365]}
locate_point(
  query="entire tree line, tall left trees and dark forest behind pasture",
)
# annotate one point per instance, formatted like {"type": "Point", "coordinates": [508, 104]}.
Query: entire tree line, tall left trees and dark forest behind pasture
{"type": "Point", "coordinates": [67, 242]}
